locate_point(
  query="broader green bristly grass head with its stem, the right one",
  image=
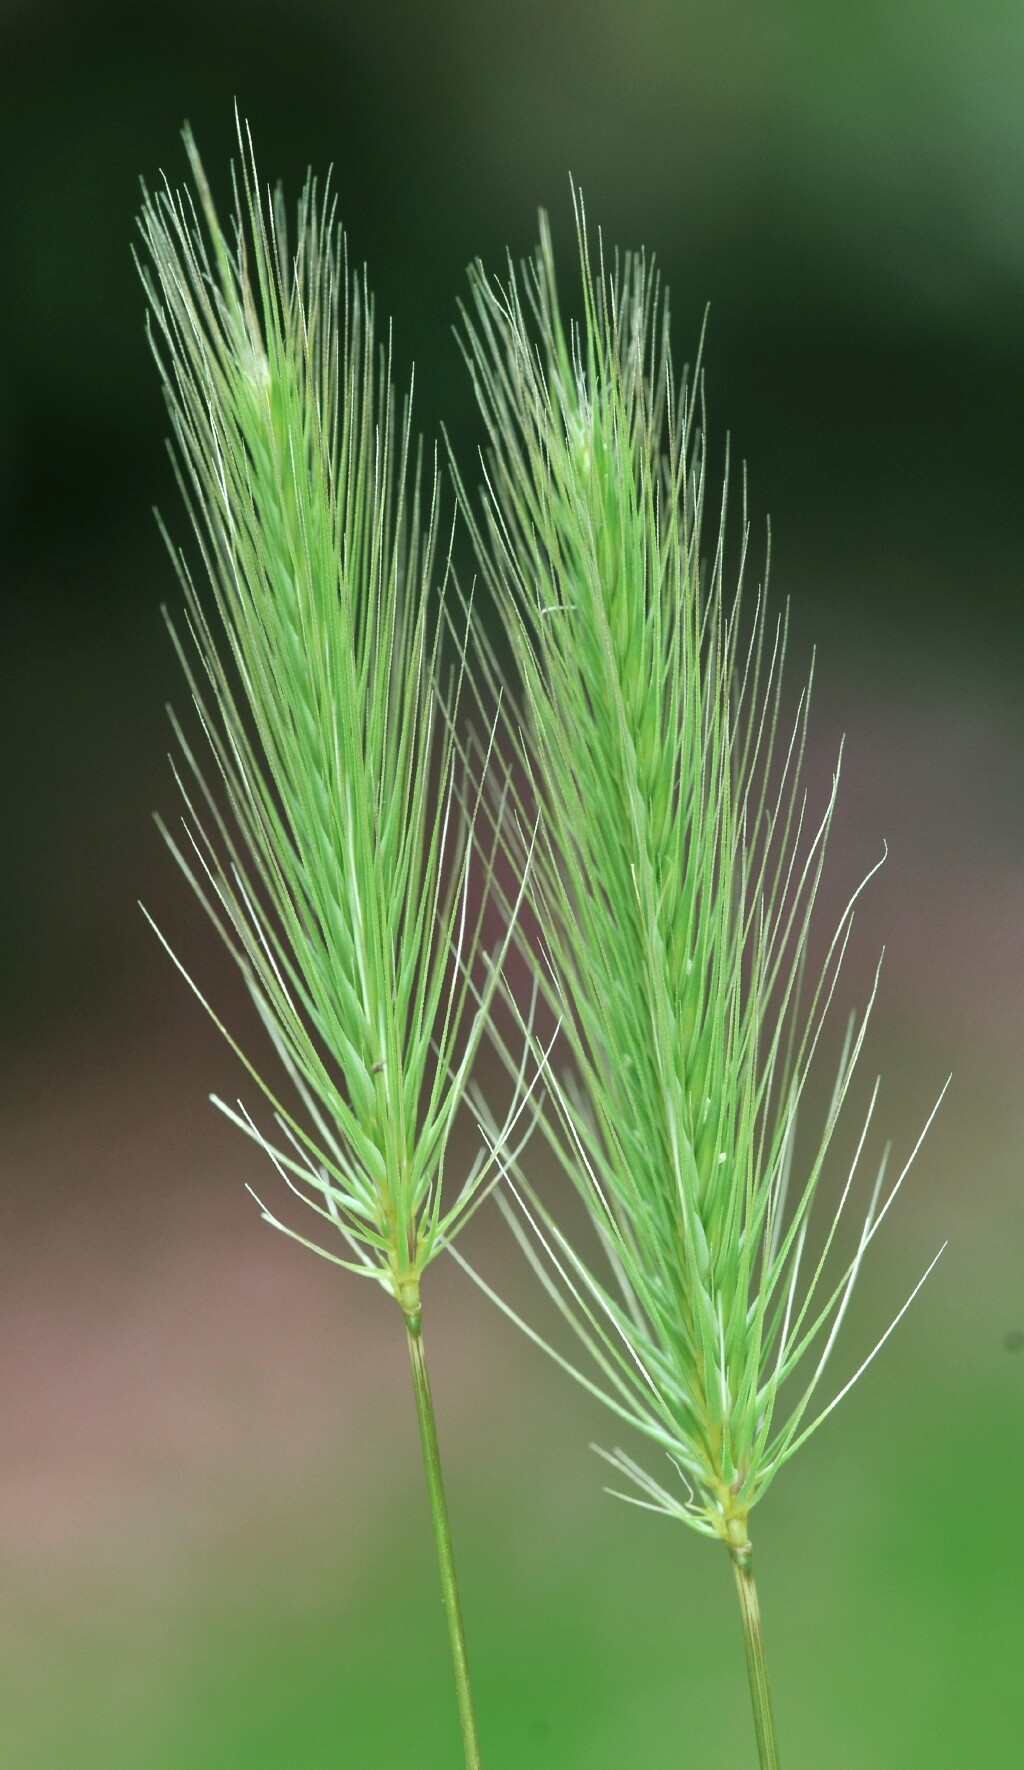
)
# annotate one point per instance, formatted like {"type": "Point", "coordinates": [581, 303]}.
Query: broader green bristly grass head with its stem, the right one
{"type": "Point", "coordinates": [673, 888]}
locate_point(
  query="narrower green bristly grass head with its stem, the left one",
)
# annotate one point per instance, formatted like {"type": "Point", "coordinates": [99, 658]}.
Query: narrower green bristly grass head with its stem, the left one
{"type": "Point", "coordinates": [330, 845]}
